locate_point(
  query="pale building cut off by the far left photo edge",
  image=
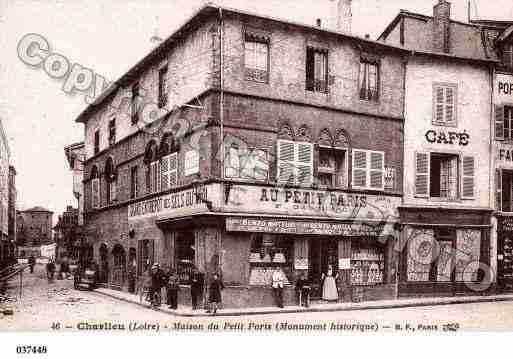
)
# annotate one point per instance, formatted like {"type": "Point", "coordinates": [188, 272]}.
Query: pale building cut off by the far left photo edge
{"type": "Point", "coordinates": [7, 247]}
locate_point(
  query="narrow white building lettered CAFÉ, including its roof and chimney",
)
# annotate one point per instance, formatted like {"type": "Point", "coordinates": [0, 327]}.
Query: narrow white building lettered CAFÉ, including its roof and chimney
{"type": "Point", "coordinates": [447, 207]}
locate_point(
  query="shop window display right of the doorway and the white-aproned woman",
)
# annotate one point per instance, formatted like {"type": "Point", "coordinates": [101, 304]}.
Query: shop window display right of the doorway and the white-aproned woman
{"type": "Point", "coordinates": [367, 264]}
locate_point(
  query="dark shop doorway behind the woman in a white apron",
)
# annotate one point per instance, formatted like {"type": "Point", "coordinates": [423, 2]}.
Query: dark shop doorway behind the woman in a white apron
{"type": "Point", "coordinates": [323, 251]}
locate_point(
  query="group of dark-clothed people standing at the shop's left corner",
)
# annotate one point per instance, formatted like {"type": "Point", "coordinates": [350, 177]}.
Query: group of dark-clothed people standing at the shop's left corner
{"type": "Point", "coordinates": [158, 279]}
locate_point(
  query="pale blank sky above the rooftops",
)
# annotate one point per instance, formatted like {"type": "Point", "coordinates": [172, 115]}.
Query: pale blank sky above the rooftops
{"type": "Point", "coordinates": [111, 36]}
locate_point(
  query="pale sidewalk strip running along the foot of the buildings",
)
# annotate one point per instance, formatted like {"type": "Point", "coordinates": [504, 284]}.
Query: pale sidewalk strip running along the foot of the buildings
{"type": "Point", "coordinates": [185, 311]}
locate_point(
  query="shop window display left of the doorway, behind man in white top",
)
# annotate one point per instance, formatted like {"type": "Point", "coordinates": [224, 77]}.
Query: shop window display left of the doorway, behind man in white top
{"type": "Point", "coordinates": [269, 252]}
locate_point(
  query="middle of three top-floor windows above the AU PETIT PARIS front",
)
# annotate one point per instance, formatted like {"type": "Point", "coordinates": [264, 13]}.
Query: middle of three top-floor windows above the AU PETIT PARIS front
{"type": "Point", "coordinates": [316, 70]}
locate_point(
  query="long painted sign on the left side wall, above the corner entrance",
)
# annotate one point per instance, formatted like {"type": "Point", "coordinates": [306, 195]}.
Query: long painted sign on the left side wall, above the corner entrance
{"type": "Point", "coordinates": [188, 201]}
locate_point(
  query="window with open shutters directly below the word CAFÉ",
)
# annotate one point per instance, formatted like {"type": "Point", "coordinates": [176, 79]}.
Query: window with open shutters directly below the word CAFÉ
{"type": "Point", "coordinates": [444, 176]}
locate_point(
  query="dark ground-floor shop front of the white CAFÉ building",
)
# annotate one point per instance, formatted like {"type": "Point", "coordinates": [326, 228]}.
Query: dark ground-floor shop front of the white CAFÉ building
{"type": "Point", "coordinates": [444, 252]}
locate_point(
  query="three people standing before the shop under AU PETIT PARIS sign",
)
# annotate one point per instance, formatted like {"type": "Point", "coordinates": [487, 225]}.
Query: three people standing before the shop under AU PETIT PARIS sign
{"type": "Point", "coordinates": [303, 287]}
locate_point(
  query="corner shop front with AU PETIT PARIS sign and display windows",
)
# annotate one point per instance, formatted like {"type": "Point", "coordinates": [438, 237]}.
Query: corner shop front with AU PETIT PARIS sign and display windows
{"type": "Point", "coordinates": [246, 232]}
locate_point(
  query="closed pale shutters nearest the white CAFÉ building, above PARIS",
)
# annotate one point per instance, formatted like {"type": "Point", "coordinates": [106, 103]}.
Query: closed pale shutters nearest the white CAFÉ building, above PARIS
{"type": "Point", "coordinates": [368, 169]}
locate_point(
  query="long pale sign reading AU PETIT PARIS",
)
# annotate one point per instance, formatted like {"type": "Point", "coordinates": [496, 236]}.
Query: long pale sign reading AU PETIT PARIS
{"type": "Point", "coordinates": [335, 204]}
